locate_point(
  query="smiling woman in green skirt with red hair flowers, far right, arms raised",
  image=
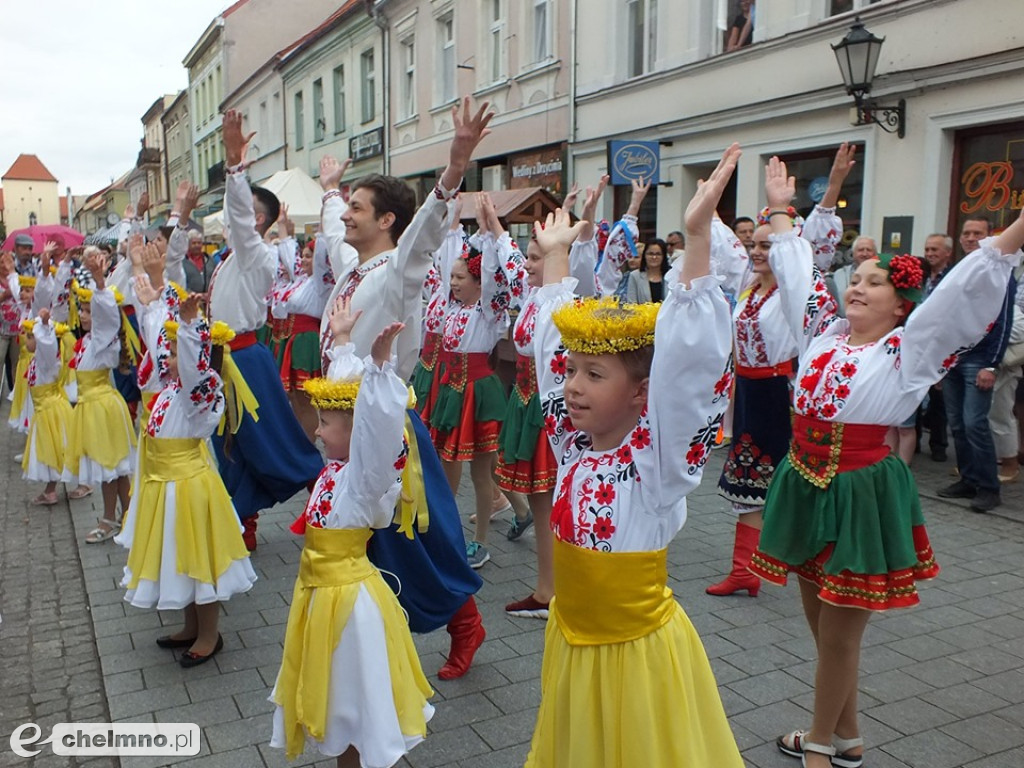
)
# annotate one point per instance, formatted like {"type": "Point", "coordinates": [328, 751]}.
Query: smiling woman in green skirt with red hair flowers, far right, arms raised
{"type": "Point", "coordinates": [842, 511]}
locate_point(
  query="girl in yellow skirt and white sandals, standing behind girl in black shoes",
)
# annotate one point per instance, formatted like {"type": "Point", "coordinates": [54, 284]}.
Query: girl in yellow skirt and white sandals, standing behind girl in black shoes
{"type": "Point", "coordinates": [102, 441]}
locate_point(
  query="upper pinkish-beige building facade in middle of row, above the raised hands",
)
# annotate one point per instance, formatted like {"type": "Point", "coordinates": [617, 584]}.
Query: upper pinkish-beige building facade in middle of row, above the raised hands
{"type": "Point", "coordinates": [515, 55]}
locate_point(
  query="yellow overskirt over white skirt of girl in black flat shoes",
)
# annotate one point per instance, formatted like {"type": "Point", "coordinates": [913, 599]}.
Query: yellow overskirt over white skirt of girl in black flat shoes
{"type": "Point", "coordinates": [206, 530]}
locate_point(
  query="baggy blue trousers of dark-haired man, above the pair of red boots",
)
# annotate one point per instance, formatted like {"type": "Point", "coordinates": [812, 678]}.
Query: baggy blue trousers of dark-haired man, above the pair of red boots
{"type": "Point", "coordinates": [436, 578]}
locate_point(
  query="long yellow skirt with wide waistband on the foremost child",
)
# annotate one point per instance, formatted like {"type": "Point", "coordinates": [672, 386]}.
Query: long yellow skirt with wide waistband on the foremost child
{"type": "Point", "coordinates": [649, 699]}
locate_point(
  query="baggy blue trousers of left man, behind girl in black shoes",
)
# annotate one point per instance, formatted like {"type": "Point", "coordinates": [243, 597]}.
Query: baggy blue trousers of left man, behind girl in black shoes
{"type": "Point", "coordinates": [271, 460]}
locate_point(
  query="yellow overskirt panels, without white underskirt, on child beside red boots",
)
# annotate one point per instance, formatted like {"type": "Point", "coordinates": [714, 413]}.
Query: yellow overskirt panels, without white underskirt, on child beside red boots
{"type": "Point", "coordinates": [334, 563]}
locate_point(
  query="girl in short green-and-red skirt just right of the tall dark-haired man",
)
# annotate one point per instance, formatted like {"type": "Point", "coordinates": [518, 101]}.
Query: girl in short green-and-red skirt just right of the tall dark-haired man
{"type": "Point", "coordinates": [472, 403]}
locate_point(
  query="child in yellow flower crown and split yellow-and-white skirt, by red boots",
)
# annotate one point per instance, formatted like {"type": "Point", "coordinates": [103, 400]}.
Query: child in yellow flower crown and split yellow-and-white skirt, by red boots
{"type": "Point", "coordinates": [351, 682]}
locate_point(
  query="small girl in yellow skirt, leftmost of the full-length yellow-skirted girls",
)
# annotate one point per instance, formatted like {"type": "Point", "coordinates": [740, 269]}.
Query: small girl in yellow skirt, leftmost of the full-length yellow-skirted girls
{"type": "Point", "coordinates": [45, 459]}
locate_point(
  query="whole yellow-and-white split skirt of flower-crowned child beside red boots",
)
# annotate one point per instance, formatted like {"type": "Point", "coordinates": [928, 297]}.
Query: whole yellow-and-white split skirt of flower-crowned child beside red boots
{"type": "Point", "coordinates": [333, 571]}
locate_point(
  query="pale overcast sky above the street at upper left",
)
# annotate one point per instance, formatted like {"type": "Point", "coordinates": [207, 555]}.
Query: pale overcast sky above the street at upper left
{"type": "Point", "coordinates": [79, 76]}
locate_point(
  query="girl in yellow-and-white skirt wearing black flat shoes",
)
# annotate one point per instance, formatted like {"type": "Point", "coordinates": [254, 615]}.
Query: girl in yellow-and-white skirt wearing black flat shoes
{"type": "Point", "coordinates": [185, 539]}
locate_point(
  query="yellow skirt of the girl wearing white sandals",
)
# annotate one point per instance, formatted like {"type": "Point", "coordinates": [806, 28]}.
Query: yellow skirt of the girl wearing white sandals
{"type": "Point", "coordinates": [102, 429]}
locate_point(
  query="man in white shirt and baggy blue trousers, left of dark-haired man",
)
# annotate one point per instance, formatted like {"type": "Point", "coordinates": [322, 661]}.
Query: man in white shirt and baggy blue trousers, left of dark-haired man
{"type": "Point", "coordinates": [270, 460]}
